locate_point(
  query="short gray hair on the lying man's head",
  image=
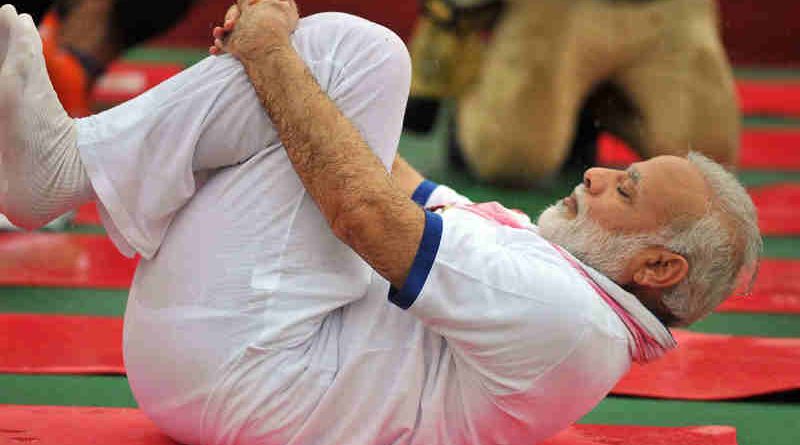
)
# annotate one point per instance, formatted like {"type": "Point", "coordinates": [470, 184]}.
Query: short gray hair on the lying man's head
{"type": "Point", "coordinates": [721, 247]}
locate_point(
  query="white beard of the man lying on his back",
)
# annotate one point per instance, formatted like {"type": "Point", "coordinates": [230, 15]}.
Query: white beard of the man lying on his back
{"type": "Point", "coordinates": [607, 252]}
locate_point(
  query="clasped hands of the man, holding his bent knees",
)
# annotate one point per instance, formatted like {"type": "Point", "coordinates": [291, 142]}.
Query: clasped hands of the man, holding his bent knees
{"type": "Point", "coordinates": [254, 27]}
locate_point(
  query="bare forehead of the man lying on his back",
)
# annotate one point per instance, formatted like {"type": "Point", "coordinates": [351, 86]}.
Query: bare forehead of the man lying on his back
{"type": "Point", "coordinates": [671, 186]}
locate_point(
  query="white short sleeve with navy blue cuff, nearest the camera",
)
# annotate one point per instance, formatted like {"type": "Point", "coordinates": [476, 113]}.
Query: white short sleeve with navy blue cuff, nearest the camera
{"type": "Point", "coordinates": [503, 307]}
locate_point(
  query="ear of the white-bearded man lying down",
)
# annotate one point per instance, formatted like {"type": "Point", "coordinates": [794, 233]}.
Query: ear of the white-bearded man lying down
{"type": "Point", "coordinates": [659, 268]}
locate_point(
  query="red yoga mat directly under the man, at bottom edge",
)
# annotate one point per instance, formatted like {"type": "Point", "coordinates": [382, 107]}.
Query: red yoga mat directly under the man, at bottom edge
{"type": "Point", "coordinates": [62, 425]}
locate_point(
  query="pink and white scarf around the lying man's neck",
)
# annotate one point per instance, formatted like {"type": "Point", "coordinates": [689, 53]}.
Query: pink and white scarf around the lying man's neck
{"type": "Point", "coordinates": [645, 347]}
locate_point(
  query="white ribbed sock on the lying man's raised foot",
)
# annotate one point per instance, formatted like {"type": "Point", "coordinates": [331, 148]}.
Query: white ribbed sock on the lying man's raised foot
{"type": "Point", "coordinates": [41, 174]}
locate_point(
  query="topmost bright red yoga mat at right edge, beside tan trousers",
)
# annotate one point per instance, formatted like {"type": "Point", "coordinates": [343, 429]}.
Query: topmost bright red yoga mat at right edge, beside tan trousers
{"type": "Point", "coordinates": [770, 97]}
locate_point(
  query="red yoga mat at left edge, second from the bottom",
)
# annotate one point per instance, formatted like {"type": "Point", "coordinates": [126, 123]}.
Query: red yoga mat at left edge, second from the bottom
{"type": "Point", "coordinates": [60, 344]}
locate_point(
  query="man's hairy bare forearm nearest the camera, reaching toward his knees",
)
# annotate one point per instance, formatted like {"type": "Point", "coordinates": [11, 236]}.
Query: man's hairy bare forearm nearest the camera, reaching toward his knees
{"type": "Point", "coordinates": [352, 188]}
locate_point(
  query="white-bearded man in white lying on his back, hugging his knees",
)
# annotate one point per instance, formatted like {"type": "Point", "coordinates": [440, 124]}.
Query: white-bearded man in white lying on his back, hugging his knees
{"type": "Point", "coordinates": [271, 242]}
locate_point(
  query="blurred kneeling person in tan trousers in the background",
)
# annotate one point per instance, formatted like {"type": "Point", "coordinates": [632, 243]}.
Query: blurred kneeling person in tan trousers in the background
{"type": "Point", "coordinates": [526, 74]}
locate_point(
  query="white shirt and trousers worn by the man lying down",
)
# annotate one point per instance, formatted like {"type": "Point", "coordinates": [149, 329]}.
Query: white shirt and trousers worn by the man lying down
{"type": "Point", "coordinates": [249, 322]}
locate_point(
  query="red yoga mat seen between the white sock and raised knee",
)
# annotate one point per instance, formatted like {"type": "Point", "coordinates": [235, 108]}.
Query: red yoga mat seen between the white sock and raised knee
{"type": "Point", "coordinates": [126, 80]}
